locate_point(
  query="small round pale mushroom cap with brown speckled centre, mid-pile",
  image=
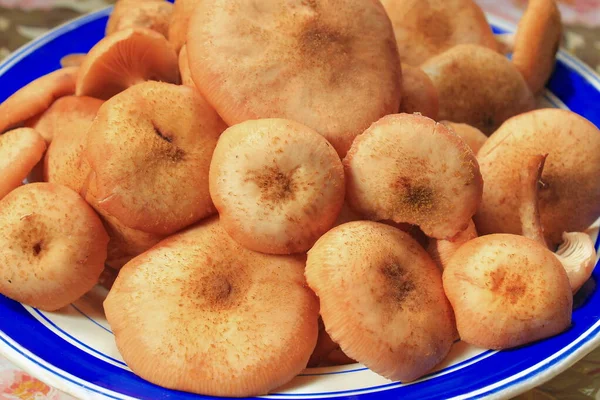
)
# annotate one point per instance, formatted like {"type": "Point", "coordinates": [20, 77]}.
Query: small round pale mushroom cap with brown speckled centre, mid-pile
{"type": "Point", "coordinates": [277, 184]}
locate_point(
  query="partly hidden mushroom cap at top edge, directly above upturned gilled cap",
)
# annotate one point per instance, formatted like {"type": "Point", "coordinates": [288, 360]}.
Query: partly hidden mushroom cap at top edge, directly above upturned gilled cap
{"type": "Point", "coordinates": [153, 14]}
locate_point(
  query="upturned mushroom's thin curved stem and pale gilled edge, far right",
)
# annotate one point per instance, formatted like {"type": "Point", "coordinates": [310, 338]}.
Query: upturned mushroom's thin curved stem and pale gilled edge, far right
{"type": "Point", "coordinates": [576, 253]}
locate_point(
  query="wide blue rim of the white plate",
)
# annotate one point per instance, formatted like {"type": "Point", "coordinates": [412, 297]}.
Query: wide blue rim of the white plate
{"type": "Point", "coordinates": [31, 345]}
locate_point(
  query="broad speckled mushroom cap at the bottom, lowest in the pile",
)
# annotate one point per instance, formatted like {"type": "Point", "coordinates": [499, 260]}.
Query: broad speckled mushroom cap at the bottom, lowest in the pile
{"type": "Point", "coordinates": [203, 314]}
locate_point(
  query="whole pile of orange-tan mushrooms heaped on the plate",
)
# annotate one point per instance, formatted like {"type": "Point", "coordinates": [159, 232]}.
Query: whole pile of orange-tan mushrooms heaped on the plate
{"type": "Point", "coordinates": [266, 186]}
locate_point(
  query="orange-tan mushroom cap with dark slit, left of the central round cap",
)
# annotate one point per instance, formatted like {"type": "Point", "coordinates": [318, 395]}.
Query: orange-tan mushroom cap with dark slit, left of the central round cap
{"type": "Point", "coordinates": [150, 161]}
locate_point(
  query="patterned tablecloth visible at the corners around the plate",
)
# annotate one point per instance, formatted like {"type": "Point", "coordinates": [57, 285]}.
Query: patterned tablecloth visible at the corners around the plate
{"type": "Point", "coordinates": [23, 20]}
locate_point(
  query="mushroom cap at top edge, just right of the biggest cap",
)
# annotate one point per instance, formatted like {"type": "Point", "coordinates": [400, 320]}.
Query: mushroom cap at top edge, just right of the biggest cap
{"type": "Point", "coordinates": [426, 28]}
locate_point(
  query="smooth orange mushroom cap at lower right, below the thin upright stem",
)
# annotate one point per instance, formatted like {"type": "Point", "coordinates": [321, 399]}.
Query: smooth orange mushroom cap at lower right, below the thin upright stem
{"type": "Point", "coordinates": [506, 291]}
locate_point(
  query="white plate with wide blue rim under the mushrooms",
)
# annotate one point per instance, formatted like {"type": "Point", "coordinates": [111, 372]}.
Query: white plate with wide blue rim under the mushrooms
{"type": "Point", "coordinates": [74, 349]}
